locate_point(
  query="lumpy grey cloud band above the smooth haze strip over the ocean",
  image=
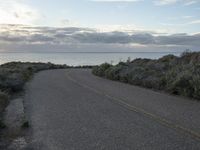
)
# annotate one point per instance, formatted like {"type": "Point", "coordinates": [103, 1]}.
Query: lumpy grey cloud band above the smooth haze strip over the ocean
{"type": "Point", "coordinates": [27, 35]}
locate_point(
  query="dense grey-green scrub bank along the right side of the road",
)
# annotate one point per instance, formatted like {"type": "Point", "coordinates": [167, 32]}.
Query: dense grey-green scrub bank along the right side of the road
{"type": "Point", "coordinates": [172, 74]}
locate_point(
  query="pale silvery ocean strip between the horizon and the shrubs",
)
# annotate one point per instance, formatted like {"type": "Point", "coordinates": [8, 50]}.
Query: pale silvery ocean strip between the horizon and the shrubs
{"type": "Point", "coordinates": [80, 58]}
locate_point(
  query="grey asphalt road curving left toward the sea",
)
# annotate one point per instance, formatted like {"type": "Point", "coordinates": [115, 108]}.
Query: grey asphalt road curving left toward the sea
{"type": "Point", "coordinates": [74, 110]}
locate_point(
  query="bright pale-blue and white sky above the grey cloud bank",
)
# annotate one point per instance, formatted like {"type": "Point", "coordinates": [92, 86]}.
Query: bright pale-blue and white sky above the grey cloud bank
{"type": "Point", "coordinates": [168, 16]}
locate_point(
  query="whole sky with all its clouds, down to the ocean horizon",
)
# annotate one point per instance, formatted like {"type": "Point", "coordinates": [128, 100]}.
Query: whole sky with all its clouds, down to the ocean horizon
{"type": "Point", "coordinates": [99, 25]}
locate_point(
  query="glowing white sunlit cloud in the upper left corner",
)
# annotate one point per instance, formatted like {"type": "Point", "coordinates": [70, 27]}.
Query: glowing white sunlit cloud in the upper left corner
{"type": "Point", "coordinates": [17, 12]}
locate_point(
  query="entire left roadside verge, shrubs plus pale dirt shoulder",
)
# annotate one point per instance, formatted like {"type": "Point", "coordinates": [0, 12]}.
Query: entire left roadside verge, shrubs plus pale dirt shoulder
{"type": "Point", "coordinates": [13, 77]}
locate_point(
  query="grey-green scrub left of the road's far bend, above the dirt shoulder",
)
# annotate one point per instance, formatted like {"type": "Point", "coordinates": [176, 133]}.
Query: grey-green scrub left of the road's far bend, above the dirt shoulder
{"type": "Point", "coordinates": [14, 75]}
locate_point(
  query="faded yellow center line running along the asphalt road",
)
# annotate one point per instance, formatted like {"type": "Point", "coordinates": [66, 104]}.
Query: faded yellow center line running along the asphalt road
{"type": "Point", "coordinates": [158, 119]}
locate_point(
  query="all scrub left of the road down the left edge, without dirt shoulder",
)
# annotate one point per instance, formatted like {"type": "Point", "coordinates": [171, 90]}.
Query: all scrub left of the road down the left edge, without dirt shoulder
{"type": "Point", "coordinates": [13, 77]}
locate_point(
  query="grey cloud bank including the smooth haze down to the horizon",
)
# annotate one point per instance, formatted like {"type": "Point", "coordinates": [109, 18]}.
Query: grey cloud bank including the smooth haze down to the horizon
{"type": "Point", "coordinates": [26, 38]}
